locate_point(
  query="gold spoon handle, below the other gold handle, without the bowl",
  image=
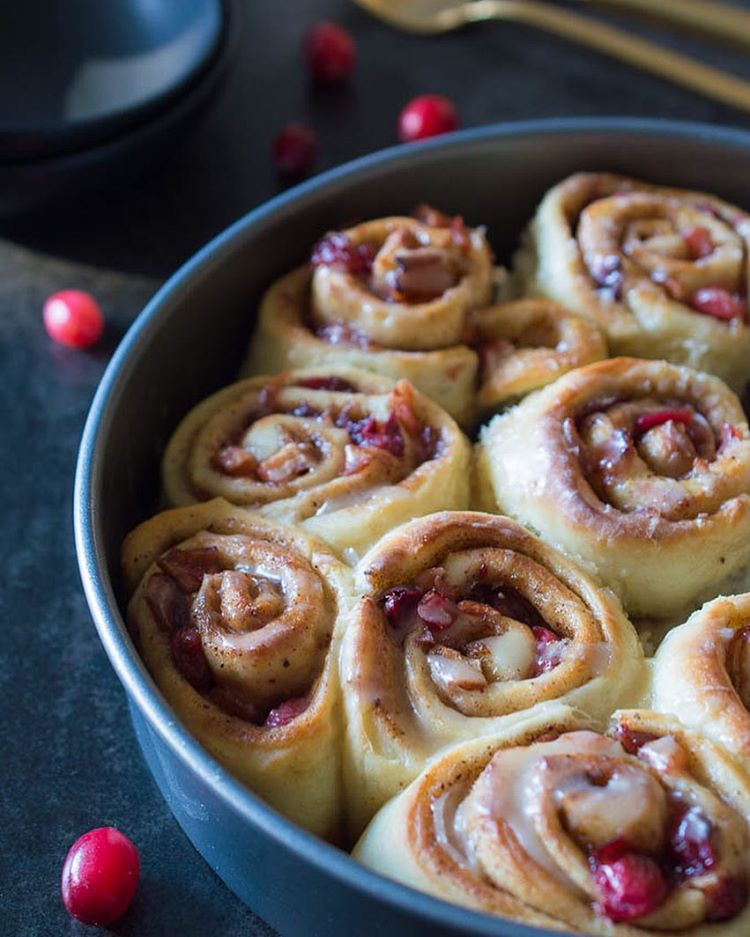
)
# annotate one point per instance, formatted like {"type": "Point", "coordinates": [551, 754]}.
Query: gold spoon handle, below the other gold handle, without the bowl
{"type": "Point", "coordinates": [619, 44]}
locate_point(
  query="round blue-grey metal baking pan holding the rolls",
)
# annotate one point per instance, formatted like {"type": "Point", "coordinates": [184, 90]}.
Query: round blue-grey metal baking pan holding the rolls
{"type": "Point", "coordinates": [188, 342]}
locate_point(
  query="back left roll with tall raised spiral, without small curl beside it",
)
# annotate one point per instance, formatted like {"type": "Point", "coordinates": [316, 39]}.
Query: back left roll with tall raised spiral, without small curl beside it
{"type": "Point", "coordinates": [394, 296]}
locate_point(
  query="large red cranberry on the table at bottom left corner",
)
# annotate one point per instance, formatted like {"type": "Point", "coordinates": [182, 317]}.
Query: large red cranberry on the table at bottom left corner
{"type": "Point", "coordinates": [100, 876]}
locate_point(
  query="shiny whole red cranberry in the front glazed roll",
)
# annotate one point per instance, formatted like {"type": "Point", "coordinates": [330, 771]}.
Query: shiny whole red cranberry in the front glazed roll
{"type": "Point", "coordinates": [630, 885]}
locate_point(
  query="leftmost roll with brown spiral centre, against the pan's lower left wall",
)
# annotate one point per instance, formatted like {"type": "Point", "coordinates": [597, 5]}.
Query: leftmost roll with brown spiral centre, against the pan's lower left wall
{"type": "Point", "coordinates": [263, 617]}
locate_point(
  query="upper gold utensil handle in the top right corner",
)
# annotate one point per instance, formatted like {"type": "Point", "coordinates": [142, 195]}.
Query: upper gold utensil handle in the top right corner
{"type": "Point", "coordinates": [713, 20]}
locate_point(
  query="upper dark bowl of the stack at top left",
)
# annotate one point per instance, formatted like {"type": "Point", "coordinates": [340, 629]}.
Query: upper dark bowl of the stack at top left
{"type": "Point", "coordinates": [74, 73]}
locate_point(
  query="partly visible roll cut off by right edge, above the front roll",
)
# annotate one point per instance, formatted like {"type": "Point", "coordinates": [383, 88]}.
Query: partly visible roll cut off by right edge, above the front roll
{"type": "Point", "coordinates": [701, 673]}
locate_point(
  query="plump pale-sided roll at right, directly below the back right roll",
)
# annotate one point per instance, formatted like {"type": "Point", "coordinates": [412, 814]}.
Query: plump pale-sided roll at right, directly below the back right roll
{"type": "Point", "coordinates": [642, 527]}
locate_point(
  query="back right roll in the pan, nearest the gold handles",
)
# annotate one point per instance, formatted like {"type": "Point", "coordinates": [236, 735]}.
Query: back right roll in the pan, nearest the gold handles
{"type": "Point", "coordinates": [633, 257]}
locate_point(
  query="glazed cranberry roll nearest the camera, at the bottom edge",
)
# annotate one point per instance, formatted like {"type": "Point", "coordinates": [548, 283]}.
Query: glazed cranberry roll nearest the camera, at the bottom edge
{"type": "Point", "coordinates": [641, 831]}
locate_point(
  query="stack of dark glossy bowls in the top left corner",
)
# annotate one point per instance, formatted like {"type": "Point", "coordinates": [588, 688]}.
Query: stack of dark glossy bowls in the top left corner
{"type": "Point", "coordinates": [60, 134]}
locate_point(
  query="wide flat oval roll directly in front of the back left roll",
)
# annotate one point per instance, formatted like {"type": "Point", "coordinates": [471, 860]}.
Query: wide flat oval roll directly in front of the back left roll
{"type": "Point", "coordinates": [343, 453]}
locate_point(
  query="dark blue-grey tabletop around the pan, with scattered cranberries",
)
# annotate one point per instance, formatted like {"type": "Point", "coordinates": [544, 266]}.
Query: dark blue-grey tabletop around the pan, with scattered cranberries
{"type": "Point", "coordinates": [68, 759]}
